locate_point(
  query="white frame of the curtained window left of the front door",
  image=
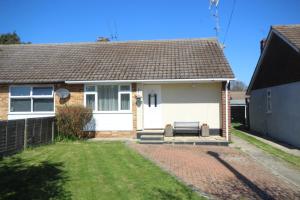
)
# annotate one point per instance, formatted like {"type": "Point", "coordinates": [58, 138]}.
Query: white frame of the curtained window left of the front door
{"type": "Point", "coordinates": [119, 97]}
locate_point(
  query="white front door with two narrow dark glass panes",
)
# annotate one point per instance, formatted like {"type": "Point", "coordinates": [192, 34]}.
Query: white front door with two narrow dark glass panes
{"type": "Point", "coordinates": [152, 107]}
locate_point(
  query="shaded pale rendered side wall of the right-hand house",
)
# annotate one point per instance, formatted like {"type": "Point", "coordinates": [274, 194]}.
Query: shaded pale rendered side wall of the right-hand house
{"type": "Point", "coordinates": [282, 123]}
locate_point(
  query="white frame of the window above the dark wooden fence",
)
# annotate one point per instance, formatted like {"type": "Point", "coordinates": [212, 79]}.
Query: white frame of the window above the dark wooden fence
{"type": "Point", "coordinates": [31, 97]}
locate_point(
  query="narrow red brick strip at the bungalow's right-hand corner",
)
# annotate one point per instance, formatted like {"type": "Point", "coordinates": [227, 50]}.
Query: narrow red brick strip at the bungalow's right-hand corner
{"type": "Point", "coordinates": [223, 97]}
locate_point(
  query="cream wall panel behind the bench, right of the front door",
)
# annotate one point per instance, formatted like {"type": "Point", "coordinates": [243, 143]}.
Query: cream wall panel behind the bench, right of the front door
{"type": "Point", "coordinates": [192, 102]}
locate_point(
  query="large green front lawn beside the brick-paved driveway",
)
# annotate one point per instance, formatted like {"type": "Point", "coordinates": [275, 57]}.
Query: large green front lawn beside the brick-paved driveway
{"type": "Point", "coordinates": [86, 170]}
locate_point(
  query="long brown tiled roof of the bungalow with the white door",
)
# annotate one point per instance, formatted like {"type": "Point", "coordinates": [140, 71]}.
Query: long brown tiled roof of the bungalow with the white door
{"type": "Point", "coordinates": [134, 60]}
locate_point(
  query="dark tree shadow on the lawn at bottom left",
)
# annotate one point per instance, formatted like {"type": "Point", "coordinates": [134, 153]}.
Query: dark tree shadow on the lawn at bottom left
{"type": "Point", "coordinates": [19, 180]}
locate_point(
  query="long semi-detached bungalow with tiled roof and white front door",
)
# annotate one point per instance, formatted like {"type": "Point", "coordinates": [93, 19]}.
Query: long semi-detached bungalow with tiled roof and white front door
{"type": "Point", "coordinates": [130, 86]}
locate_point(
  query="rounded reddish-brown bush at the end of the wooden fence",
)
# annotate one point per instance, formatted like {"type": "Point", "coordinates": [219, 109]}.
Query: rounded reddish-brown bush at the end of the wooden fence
{"type": "Point", "coordinates": [71, 120]}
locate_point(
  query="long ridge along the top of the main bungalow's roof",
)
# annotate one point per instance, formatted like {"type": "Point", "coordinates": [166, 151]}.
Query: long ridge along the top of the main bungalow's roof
{"type": "Point", "coordinates": [116, 42]}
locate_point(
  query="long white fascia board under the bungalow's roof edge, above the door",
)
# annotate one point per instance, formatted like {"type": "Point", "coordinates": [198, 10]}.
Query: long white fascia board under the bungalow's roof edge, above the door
{"type": "Point", "coordinates": [153, 81]}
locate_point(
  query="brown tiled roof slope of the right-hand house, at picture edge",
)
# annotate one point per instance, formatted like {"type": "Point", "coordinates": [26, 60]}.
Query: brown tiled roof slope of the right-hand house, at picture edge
{"type": "Point", "coordinates": [290, 32]}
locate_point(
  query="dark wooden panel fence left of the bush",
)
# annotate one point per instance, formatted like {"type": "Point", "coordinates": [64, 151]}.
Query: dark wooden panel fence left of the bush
{"type": "Point", "coordinates": [16, 135]}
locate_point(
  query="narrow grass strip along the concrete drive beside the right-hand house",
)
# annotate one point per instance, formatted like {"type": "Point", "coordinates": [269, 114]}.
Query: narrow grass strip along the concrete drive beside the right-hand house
{"type": "Point", "coordinates": [292, 159]}
